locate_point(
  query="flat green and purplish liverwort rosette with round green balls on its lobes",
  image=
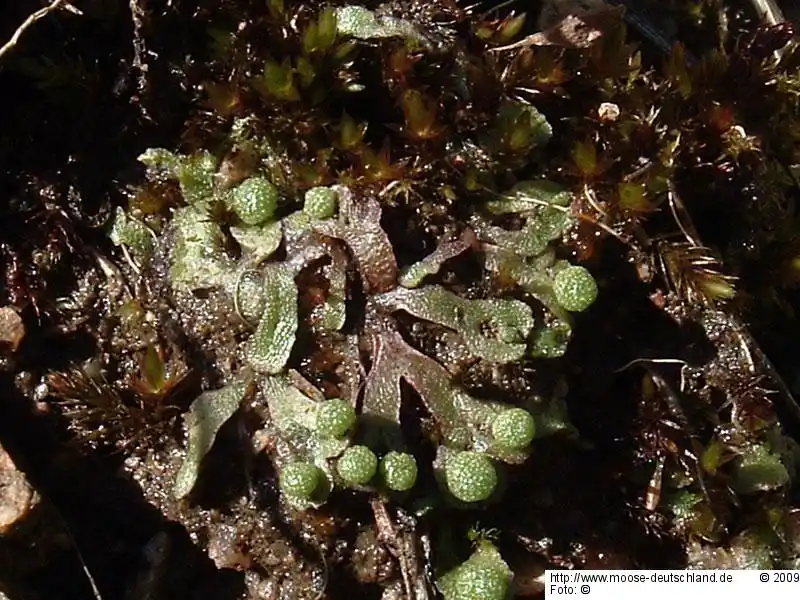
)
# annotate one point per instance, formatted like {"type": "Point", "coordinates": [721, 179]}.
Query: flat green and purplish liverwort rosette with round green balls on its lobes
{"type": "Point", "coordinates": [290, 268]}
